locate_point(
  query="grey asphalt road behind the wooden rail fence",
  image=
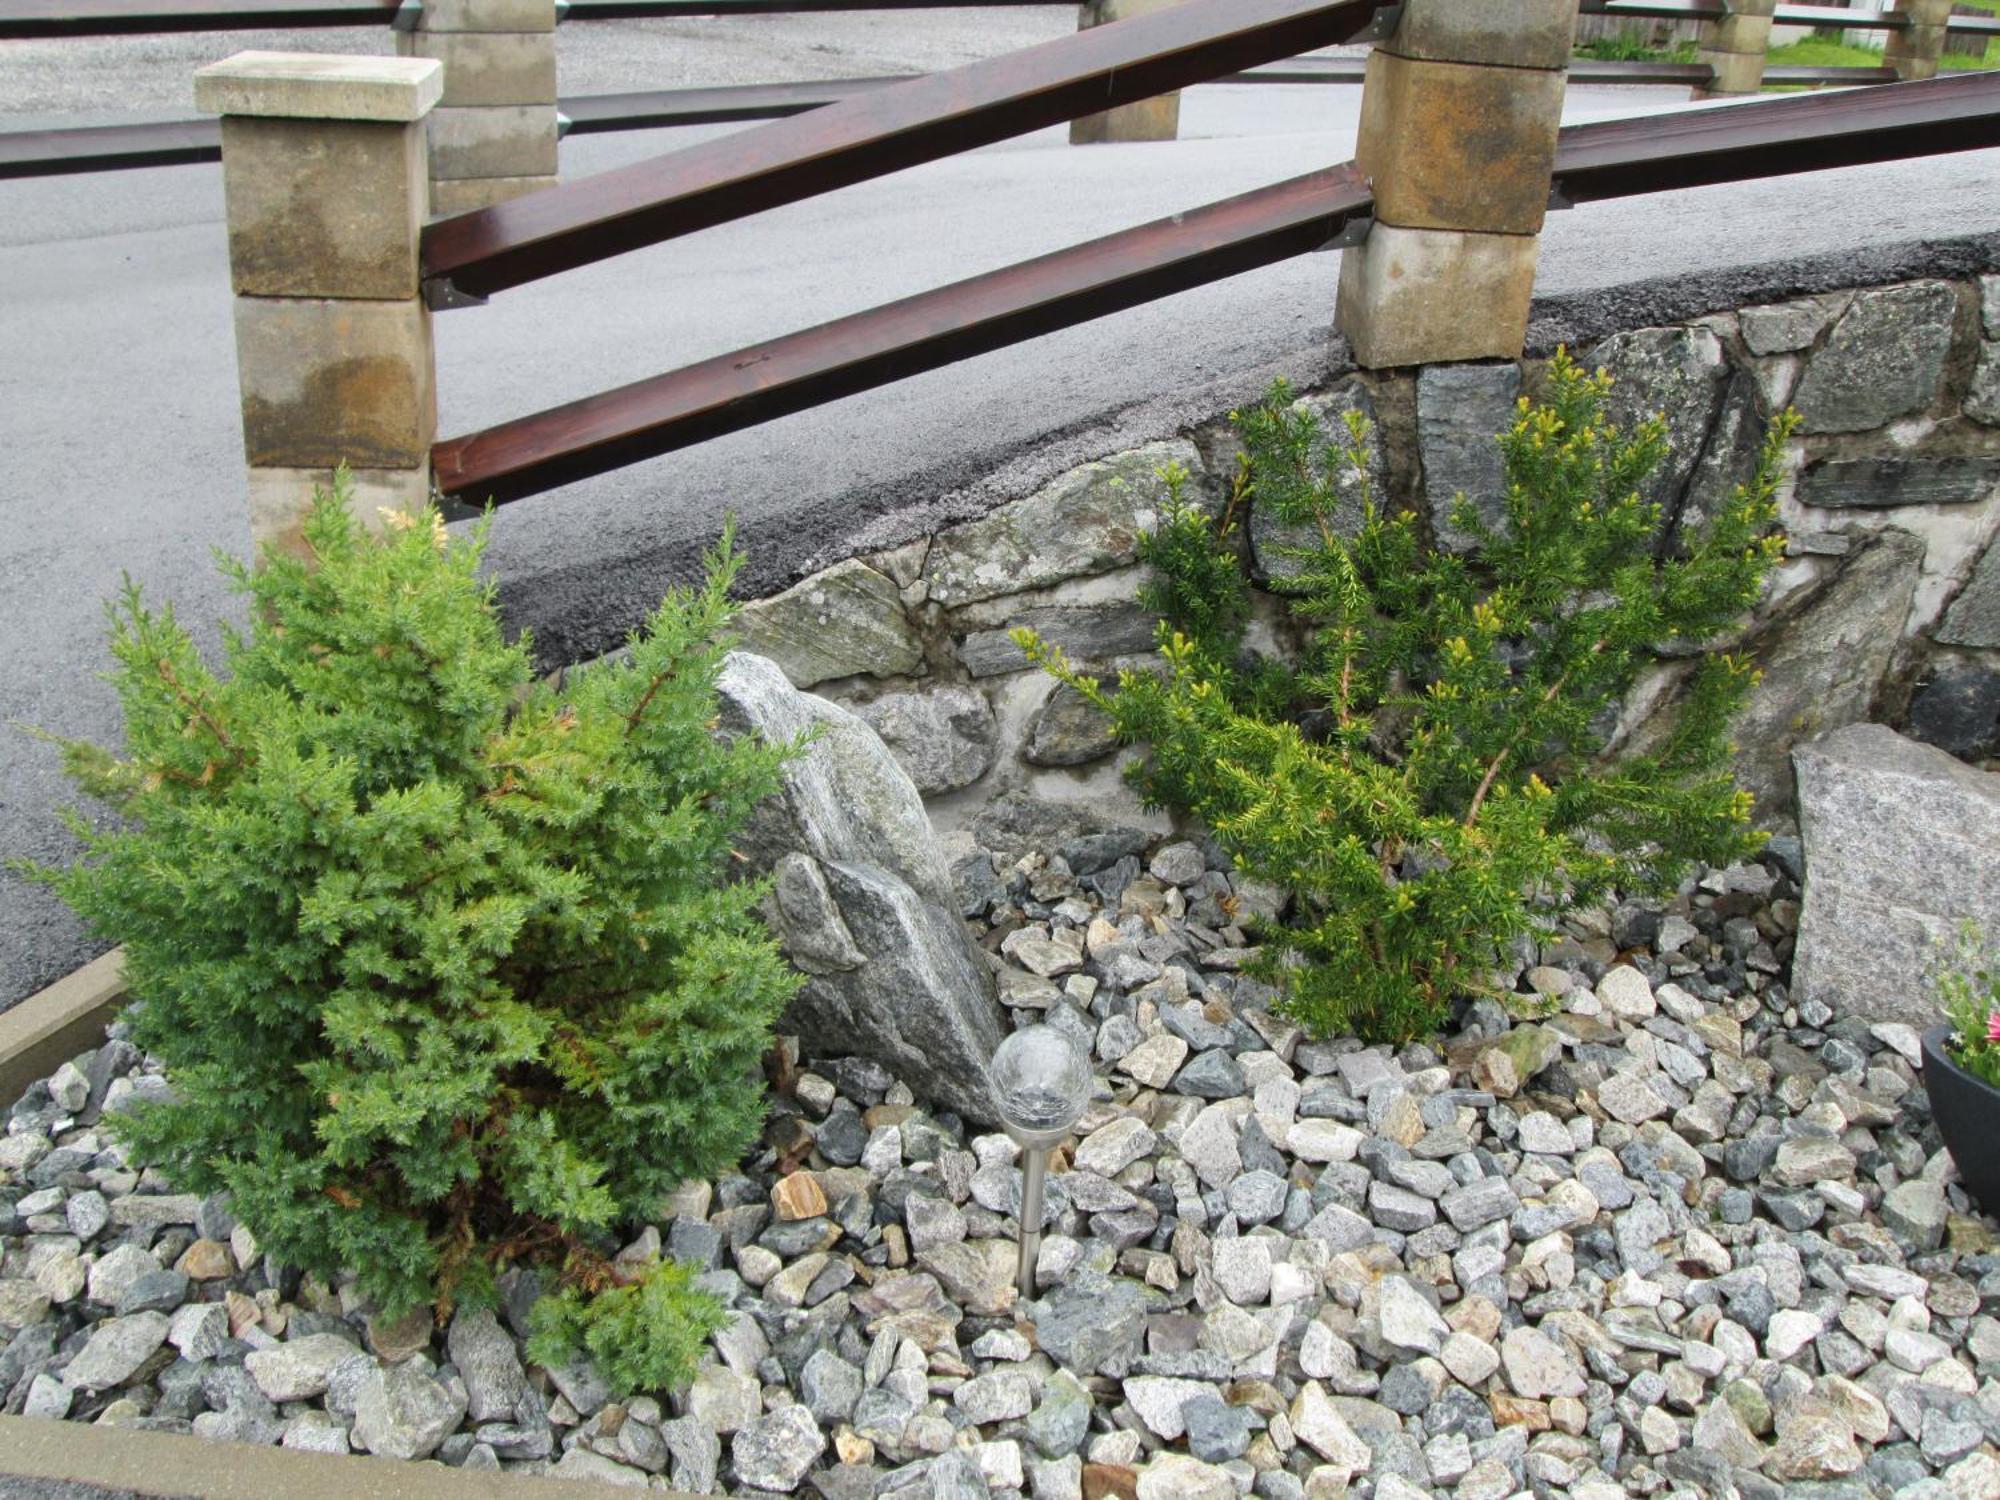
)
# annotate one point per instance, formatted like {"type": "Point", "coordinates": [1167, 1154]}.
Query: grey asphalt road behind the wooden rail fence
{"type": "Point", "coordinates": [119, 441]}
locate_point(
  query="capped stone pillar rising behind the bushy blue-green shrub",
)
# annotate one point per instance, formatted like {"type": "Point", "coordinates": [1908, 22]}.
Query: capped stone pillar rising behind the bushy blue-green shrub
{"type": "Point", "coordinates": [323, 169]}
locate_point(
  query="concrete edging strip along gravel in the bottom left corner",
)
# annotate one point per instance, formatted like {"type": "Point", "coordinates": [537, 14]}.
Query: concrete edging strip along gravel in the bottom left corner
{"type": "Point", "coordinates": [125, 1461]}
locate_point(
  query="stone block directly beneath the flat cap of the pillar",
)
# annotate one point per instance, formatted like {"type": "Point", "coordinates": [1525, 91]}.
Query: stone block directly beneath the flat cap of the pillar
{"type": "Point", "coordinates": [323, 207]}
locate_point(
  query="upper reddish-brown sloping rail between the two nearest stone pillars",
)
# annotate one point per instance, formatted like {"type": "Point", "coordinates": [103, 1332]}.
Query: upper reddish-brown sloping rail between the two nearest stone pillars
{"type": "Point", "coordinates": [873, 135]}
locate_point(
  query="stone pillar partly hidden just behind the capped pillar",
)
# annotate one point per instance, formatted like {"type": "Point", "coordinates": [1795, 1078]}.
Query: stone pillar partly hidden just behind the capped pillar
{"type": "Point", "coordinates": [495, 133]}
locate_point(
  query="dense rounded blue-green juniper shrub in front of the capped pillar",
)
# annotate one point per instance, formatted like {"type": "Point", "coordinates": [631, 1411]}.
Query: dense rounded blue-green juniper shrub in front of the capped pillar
{"type": "Point", "coordinates": [441, 959]}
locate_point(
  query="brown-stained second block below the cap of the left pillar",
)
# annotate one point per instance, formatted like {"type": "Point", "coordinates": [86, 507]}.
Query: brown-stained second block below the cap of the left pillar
{"type": "Point", "coordinates": [335, 383]}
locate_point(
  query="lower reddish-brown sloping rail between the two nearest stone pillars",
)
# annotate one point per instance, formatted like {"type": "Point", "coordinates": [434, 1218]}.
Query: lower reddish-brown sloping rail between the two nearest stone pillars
{"type": "Point", "coordinates": [903, 339]}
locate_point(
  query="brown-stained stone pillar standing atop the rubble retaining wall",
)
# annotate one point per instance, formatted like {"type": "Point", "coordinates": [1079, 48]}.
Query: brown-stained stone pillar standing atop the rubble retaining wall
{"type": "Point", "coordinates": [1459, 135]}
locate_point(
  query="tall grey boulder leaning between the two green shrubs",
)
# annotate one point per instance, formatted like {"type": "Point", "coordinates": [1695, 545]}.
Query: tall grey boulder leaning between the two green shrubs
{"type": "Point", "coordinates": [865, 899]}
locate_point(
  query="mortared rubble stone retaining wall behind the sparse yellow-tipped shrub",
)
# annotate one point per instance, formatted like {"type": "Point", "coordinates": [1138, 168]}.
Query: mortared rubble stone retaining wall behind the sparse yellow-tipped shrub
{"type": "Point", "coordinates": [1889, 607]}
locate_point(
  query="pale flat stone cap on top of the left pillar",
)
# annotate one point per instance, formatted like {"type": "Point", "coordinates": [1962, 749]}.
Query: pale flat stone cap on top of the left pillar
{"type": "Point", "coordinates": [317, 87]}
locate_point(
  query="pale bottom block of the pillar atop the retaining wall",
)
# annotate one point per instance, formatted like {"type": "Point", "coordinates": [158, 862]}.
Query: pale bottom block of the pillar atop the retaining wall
{"type": "Point", "coordinates": [1413, 297]}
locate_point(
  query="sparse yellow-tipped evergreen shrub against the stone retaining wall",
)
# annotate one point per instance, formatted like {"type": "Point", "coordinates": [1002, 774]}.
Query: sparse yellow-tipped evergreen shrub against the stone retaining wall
{"type": "Point", "coordinates": [1429, 781]}
